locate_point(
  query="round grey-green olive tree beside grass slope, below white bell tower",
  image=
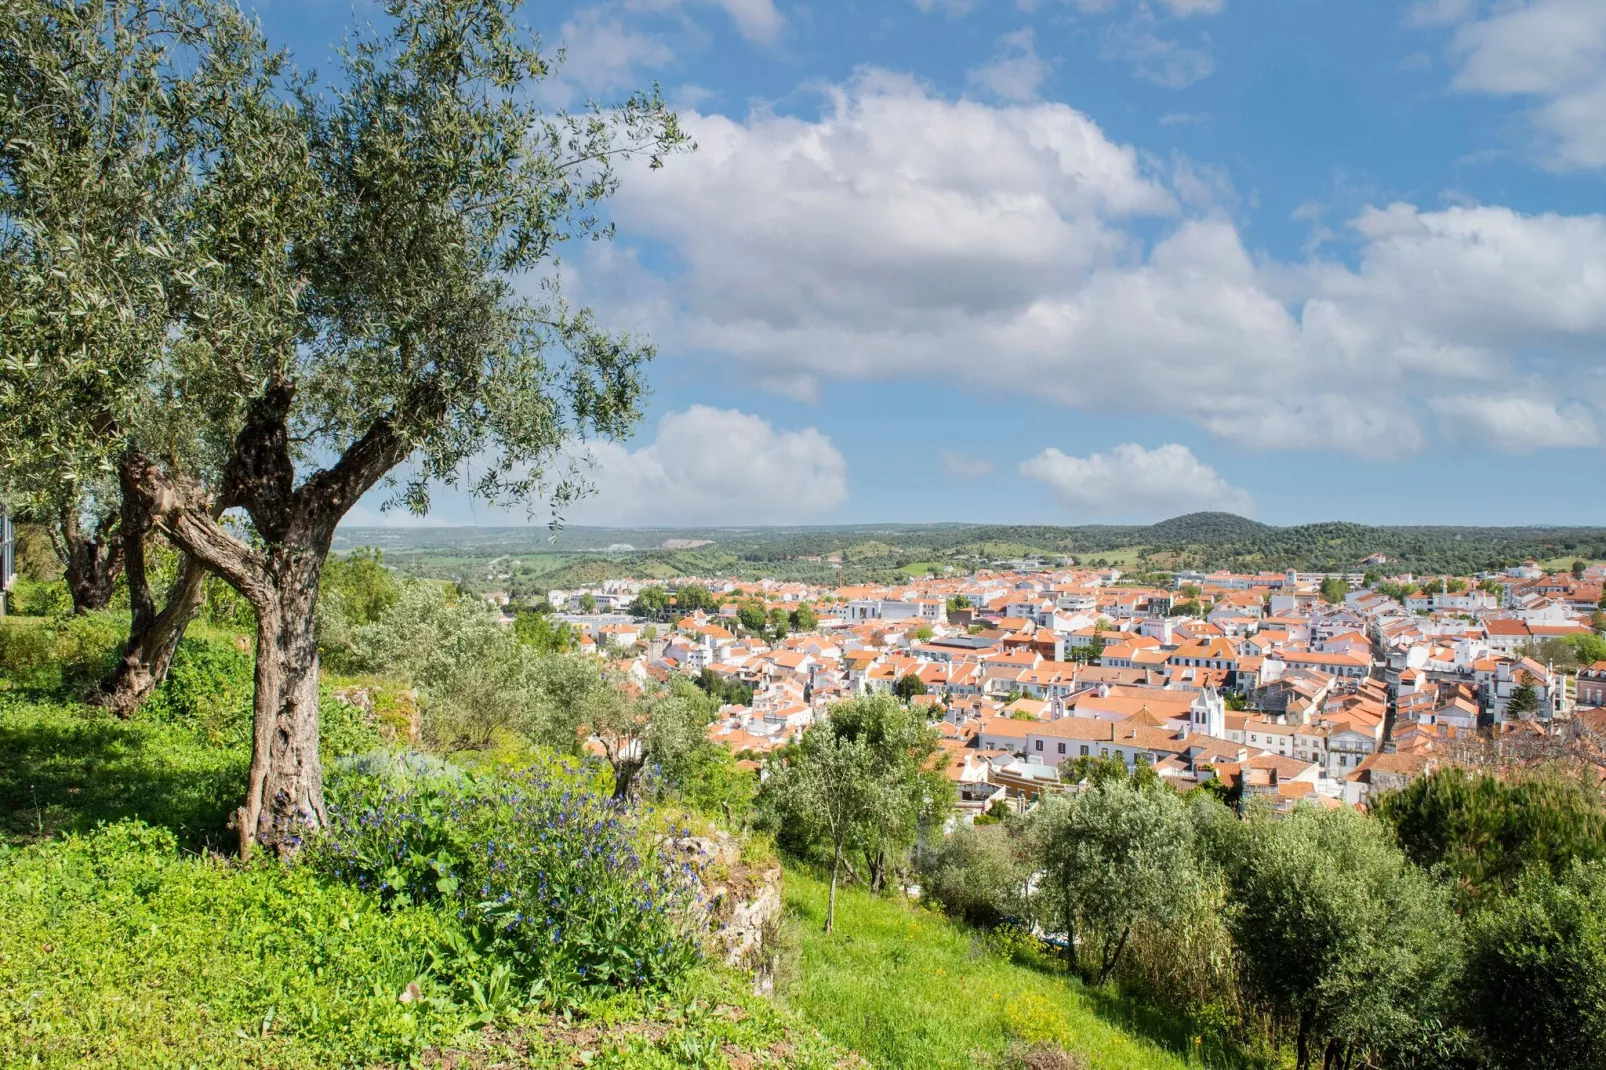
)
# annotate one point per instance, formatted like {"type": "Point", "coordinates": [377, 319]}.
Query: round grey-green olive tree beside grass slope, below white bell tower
{"type": "Point", "coordinates": [1112, 857]}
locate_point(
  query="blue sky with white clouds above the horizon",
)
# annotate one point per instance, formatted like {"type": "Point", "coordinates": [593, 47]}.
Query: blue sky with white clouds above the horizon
{"type": "Point", "coordinates": [1077, 261]}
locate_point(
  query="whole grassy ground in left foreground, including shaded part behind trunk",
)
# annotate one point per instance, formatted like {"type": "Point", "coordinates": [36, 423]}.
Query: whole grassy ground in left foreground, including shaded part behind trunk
{"type": "Point", "coordinates": [126, 944]}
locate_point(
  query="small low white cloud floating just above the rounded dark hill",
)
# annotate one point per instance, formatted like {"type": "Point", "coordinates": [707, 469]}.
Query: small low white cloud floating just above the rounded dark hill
{"type": "Point", "coordinates": [1133, 483]}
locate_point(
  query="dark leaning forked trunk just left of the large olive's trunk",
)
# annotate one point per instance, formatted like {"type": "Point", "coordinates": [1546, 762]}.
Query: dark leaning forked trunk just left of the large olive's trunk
{"type": "Point", "coordinates": [153, 637]}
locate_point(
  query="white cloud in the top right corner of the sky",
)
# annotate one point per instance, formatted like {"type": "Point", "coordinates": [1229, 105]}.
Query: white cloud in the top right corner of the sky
{"type": "Point", "coordinates": [1552, 52]}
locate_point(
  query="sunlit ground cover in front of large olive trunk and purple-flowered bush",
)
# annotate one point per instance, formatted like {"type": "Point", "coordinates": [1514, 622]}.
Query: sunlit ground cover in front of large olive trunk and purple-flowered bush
{"type": "Point", "coordinates": [123, 952]}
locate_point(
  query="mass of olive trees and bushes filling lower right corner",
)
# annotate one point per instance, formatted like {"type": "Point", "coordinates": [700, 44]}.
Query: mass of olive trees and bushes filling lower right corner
{"type": "Point", "coordinates": [1339, 937]}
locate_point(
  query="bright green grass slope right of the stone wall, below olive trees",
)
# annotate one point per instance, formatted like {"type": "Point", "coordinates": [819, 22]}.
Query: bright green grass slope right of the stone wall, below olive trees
{"type": "Point", "coordinates": [913, 990]}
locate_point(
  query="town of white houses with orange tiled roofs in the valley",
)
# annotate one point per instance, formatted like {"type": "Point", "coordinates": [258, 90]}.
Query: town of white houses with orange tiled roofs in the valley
{"type": "Point", "coordinates": [1287, 687]}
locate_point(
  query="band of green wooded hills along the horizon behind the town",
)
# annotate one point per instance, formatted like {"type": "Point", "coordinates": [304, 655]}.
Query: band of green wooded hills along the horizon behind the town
{"type": "Point", "coordinates": [539, 558]}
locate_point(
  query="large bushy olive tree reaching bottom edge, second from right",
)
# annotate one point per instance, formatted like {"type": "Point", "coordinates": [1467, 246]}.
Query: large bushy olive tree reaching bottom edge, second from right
{"type": "Point", "coordinates": [1343, 939]}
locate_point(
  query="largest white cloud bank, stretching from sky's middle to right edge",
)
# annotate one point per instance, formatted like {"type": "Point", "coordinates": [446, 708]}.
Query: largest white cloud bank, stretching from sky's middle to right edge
{"type": "Point", "coordinates": [997, 248]}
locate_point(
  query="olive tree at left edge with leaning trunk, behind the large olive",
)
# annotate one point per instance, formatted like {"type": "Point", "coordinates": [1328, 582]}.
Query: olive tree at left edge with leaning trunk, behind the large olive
{"type": "Point", "coordinates": [97, 110]}
